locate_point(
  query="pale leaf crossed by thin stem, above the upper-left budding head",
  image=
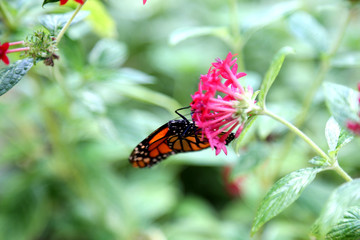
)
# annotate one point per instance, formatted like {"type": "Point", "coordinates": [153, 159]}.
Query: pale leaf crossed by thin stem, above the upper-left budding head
{"type": "Point", "coordinates": [55, 22]}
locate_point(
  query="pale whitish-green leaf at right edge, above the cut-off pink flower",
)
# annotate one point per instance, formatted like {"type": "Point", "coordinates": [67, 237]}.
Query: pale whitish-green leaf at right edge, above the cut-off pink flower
{"type": "Point", "coordinates": [342, 102]}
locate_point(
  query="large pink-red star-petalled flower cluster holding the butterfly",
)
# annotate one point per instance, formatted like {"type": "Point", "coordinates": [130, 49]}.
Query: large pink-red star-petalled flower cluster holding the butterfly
{"type": "Point", "coordinates": [217, 114]}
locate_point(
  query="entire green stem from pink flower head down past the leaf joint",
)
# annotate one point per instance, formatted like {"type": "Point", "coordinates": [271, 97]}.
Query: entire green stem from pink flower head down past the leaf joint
{"type": "Point", "coordinates": [334, 164]}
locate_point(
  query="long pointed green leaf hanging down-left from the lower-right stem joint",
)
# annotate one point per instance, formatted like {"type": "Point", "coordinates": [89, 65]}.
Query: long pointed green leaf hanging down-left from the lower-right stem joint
{"type": "Point", "coordinates": [283, 193]}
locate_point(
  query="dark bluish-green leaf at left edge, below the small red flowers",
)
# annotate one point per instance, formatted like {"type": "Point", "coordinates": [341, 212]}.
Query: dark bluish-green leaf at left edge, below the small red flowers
{"type": "Point", "coordinates": [13, 74]}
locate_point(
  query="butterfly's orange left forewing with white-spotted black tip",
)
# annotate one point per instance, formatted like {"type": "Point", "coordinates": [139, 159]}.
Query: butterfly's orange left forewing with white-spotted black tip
{"type": "Point", "coordinates": [152, 149]}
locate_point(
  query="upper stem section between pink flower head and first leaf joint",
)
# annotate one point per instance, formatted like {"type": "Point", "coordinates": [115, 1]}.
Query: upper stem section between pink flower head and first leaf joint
{"type": "Point", "coordinates": [299, 133]}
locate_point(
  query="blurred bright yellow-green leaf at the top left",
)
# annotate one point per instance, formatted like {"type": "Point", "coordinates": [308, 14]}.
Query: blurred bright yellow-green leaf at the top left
{"type": "Point", "coordinates": [100, 19]}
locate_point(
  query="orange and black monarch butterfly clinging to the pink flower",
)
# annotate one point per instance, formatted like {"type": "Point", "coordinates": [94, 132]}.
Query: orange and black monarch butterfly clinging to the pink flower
{"type": "Point", "coordinates": [173, 137]}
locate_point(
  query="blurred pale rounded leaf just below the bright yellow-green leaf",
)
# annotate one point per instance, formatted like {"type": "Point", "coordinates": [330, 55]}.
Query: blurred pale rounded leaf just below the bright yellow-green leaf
{"type": "Point", "coordinates": [108, 53]}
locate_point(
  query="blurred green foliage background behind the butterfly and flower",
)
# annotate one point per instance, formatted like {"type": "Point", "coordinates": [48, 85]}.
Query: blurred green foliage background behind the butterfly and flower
{"type": "Point", "coordinates": [67, 131]}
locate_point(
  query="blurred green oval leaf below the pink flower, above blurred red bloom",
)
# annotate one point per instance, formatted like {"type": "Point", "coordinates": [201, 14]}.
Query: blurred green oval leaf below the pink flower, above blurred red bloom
{"type": "Point", "coordinates": [250, 157]}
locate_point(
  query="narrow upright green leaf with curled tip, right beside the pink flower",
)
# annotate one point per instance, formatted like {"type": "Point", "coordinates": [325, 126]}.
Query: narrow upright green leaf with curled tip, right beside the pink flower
{"type": "Point", "coordinates": [272, 73]}
